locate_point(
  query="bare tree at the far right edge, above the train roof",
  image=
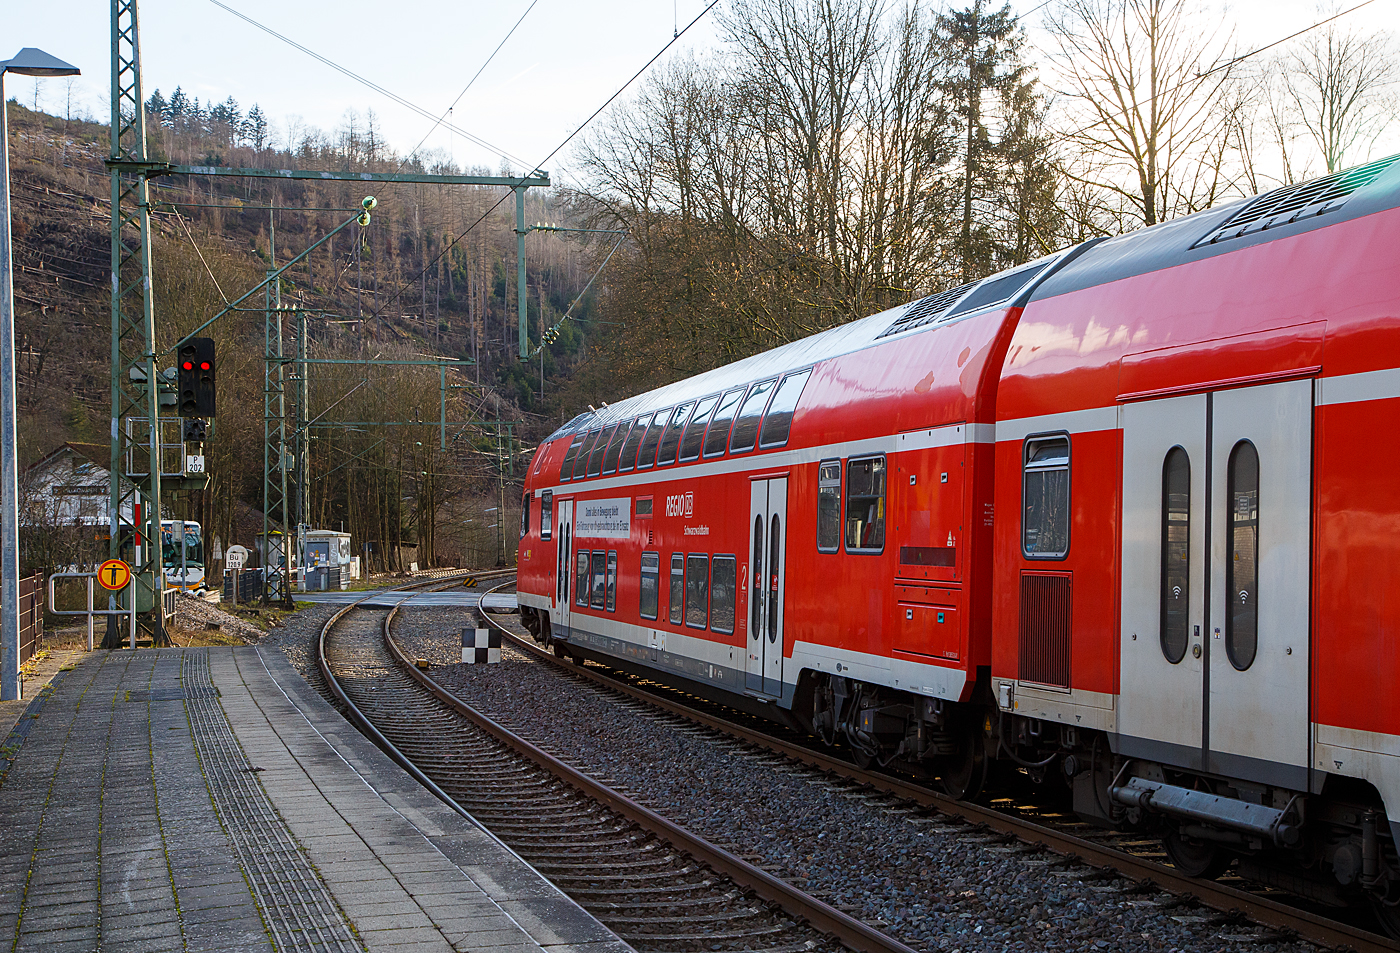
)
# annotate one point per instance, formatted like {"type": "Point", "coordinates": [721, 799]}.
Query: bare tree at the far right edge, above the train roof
{"type": "Point", "coordinates": [1340, 87]}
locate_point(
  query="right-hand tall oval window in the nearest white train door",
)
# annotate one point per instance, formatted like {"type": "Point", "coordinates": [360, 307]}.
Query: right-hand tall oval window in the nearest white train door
{"type": "Point", "coordinates": [1242, 565]}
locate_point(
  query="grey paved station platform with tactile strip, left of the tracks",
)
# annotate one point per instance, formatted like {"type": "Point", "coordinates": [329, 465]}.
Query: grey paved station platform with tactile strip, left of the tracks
{"type": "Point", "coordinates": [208, 800]}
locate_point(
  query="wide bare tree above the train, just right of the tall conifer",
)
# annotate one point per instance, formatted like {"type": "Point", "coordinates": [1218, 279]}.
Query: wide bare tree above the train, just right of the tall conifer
{"type": "Point", "coordinates": [1143, 82]}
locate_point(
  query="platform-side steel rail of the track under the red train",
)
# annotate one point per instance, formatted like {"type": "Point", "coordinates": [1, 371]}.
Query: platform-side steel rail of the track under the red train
{"type": "Point", "coordinates": [1226, 899]}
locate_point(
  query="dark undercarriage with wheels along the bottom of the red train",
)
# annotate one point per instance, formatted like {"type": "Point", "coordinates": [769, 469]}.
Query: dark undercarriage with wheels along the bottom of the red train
{"type": "Point", "coordinates": [1335, 847]}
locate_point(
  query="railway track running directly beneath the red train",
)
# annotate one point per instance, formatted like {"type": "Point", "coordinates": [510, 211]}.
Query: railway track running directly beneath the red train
{"type": "Point", "coordinates": [1130, 856]}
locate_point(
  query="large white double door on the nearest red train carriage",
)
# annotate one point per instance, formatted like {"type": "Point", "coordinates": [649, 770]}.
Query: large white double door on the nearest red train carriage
{"type": "Point", "coordinates": [1217, 500]}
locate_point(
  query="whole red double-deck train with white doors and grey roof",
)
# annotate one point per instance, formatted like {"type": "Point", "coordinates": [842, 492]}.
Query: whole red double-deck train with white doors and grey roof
{"type": "Point", "coordinates": [1126, 518]}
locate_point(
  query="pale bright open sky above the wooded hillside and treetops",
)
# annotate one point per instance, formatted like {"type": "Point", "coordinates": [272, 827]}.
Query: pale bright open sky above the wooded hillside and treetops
{"type": "Point", "coordinates": [565, 59]}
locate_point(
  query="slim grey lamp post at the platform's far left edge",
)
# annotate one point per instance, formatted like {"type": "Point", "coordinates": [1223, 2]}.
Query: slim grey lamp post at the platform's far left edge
{"type": "Point", "coordinates": [27, 62]}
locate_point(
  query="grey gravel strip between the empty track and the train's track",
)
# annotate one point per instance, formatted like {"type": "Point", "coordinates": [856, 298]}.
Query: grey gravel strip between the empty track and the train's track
{"type": "Point", "coordinates": [932, 887]}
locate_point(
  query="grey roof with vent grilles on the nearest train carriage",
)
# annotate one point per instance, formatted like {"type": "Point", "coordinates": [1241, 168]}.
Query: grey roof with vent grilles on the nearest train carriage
{"type": "Point", "coordinates": [1289, 211]}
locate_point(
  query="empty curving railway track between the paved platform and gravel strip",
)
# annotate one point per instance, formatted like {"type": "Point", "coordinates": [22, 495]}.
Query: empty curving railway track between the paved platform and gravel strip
{"type": "Point", "coordinates": [654, 884]}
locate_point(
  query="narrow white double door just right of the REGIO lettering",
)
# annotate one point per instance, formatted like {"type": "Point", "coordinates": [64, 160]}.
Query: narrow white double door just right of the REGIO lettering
{"type": "Point", "coordinates": [768, 567]}
